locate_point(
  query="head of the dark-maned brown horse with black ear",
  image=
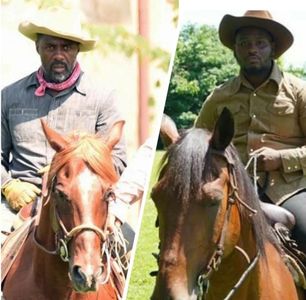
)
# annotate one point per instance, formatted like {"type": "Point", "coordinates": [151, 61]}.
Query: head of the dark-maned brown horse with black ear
{"type": "Point", "coordinates": [191, 198]}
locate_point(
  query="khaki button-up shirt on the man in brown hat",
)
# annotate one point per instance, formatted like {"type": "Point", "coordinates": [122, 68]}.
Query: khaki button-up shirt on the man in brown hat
{"type": "Point", "coordinates": [272, 115]}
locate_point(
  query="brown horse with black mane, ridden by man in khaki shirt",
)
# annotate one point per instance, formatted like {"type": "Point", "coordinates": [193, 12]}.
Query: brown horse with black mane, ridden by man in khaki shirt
{"type": "Point", "coordinates": [215, 242]}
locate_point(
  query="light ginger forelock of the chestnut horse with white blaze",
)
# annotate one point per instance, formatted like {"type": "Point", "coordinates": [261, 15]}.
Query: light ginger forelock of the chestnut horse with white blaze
{"type": "Point", "coordinates": [91, 149]}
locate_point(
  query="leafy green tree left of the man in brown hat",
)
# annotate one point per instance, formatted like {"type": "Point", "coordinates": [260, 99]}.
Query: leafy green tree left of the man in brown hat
{"type": "Point", "coordinates": [201, 63]}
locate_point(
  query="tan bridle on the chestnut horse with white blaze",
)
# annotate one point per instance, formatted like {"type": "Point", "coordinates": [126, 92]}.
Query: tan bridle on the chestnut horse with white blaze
{"type": "Point", "coordinates": [63, 236]}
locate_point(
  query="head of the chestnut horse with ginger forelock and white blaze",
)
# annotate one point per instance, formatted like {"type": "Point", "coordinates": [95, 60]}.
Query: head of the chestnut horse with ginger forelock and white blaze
{"type": "Point", "coordinates": [73, 218]}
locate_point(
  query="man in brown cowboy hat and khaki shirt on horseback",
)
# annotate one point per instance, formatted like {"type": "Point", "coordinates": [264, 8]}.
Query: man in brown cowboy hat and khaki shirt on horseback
{"type": "Point", "coordinates": [269, 109]}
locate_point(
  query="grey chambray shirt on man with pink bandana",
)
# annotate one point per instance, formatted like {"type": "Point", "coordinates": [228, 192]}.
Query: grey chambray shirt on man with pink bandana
{"type": "Point", "coordinates": [24, 148]}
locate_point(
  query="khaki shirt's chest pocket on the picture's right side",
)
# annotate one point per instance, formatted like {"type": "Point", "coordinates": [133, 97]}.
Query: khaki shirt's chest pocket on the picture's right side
{"type": "Point", "coordinates": [283, 118]}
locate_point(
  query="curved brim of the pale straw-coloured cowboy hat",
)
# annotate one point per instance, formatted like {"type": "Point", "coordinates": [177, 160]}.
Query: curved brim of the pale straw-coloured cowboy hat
{"type": "Point", "coordinates": [30, 30]}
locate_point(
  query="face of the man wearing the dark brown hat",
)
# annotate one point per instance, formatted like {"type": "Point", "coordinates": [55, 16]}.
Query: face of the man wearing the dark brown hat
{"type": "Point", "coordinates": [254, 50]}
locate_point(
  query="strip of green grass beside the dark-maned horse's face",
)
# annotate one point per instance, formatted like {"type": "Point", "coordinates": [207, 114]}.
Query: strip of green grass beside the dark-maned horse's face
{"type": "Point", "coordinates": [141, 283]}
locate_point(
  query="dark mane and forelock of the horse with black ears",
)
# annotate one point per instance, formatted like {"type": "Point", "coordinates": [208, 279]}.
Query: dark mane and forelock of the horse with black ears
{"type": "Point", "coordinates": [188, 163]}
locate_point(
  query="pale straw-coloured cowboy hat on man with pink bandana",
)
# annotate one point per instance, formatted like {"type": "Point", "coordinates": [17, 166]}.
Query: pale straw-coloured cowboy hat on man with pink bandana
{"type": "Point", "coordinates": [60, 23]}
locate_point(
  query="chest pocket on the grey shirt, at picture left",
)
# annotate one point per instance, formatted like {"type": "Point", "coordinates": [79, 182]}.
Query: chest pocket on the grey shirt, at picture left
{"type": "Point", "coordinates": [24, 124]}
